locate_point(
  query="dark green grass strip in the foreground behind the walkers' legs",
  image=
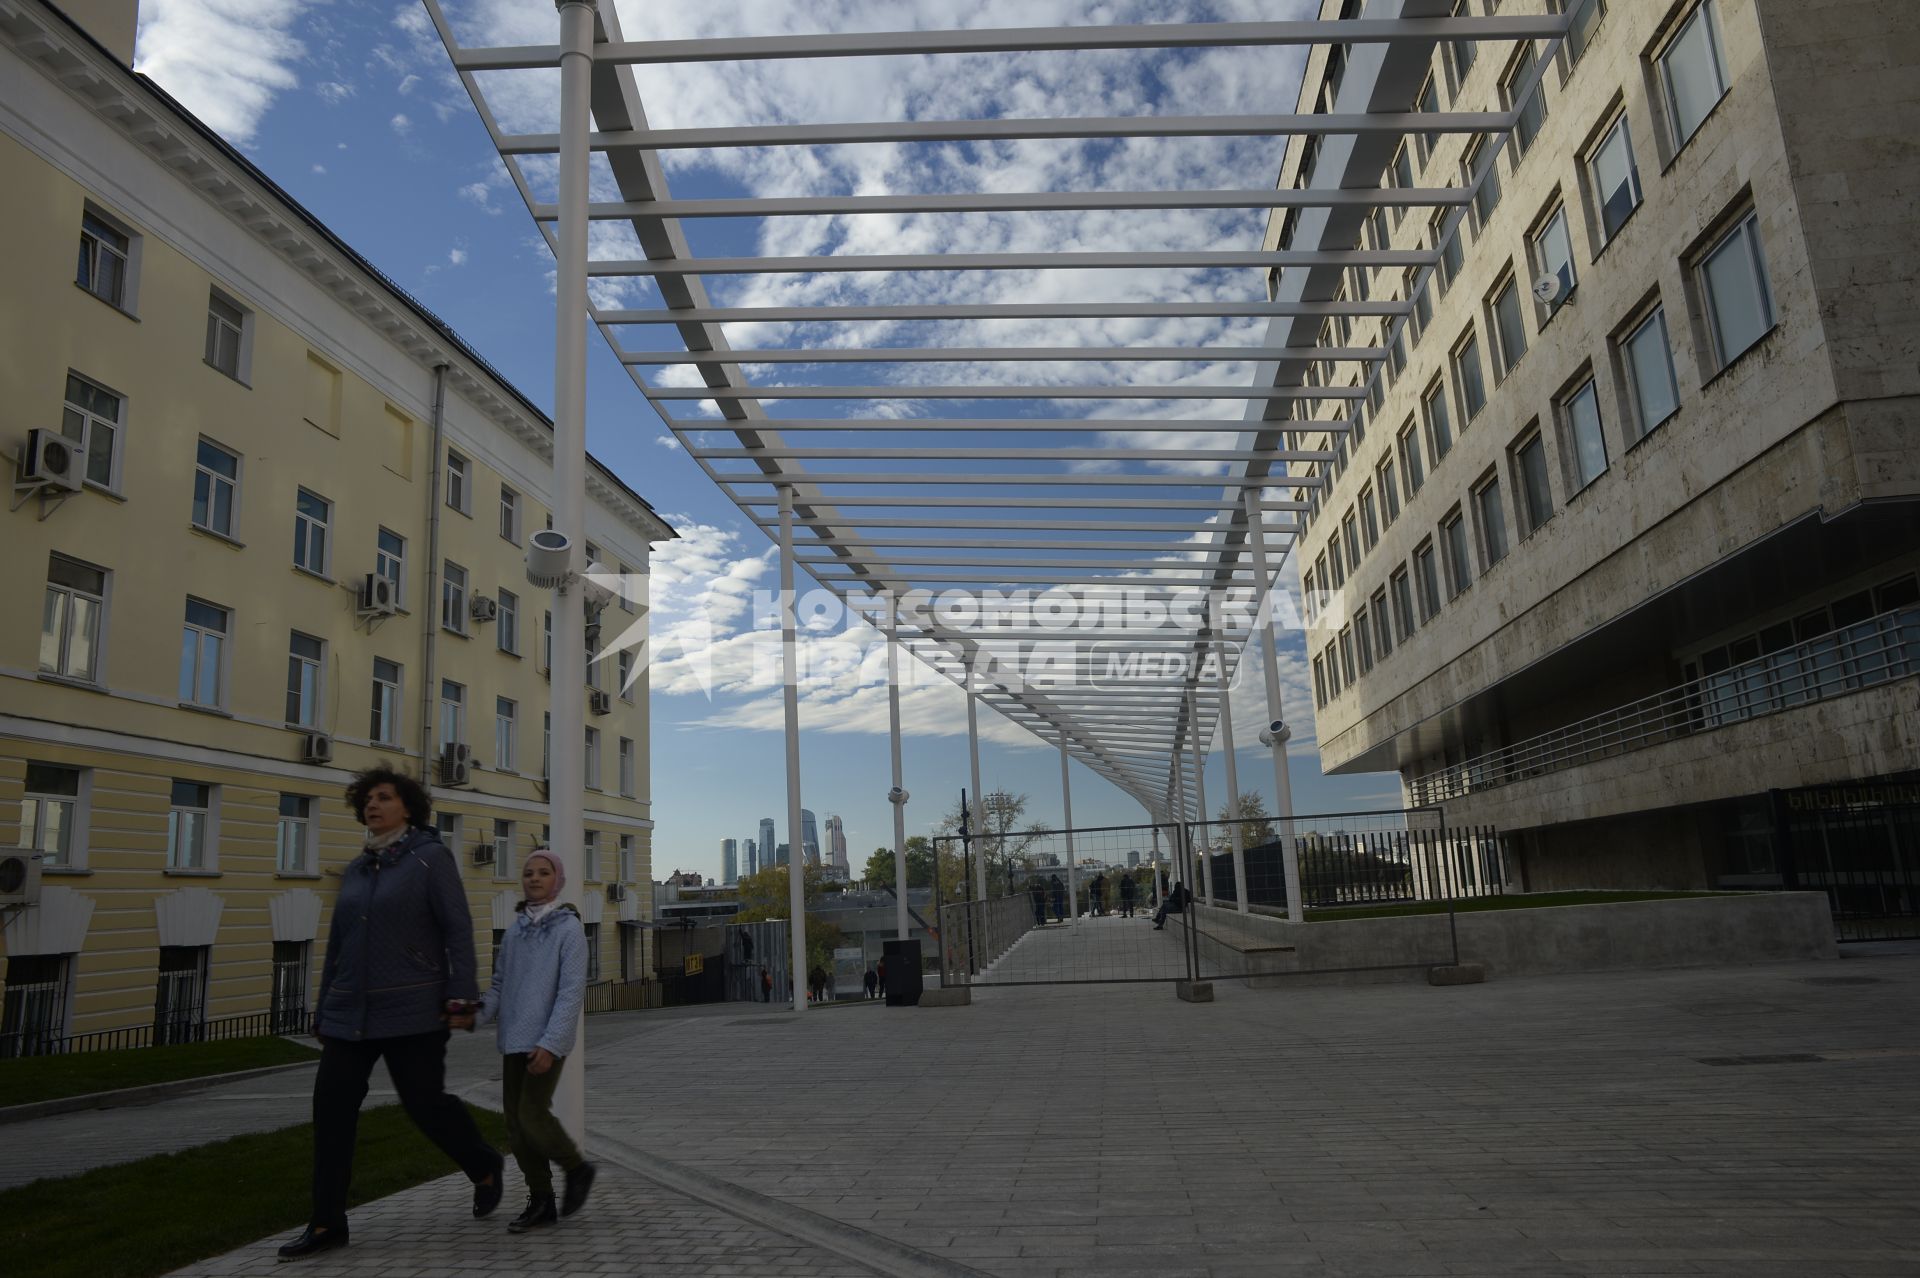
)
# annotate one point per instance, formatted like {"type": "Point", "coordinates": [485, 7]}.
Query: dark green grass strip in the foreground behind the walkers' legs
{"type": "Point", "coordinates": [172, 1210]}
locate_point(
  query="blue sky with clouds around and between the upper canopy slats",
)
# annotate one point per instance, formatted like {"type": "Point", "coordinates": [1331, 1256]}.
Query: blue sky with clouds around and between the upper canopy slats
{"type": "Point", "coordinates": [352, 108]}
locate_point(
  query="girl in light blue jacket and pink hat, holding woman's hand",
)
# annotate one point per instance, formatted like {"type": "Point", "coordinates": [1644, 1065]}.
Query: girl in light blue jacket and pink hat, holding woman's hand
{"type": "Point", "coordinates": [539, 987]}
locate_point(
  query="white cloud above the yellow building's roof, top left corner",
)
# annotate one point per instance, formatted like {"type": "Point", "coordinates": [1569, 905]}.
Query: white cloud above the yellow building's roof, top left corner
{"type": "Point", "coordinates": [226, 60]}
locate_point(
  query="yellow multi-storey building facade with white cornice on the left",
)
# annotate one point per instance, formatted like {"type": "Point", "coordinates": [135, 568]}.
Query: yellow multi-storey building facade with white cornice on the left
{"type": "Point", "coordinates": [293, 546]}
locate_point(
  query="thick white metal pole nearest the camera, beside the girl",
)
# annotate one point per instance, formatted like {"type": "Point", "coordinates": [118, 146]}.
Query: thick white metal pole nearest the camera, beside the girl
{"type": "Point", "coordinates": [567, 696]}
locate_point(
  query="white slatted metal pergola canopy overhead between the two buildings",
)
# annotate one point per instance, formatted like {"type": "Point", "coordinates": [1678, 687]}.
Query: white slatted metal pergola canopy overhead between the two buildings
{"type": "Point", "coordinates": [1022, 490]}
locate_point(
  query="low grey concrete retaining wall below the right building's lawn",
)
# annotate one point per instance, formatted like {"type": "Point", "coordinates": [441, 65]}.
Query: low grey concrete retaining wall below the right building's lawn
{"type": "Point", "coordinates": [1691, 932]}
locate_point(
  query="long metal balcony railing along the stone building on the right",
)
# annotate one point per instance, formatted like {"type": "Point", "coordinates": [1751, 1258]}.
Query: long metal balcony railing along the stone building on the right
{"type": "Point", "coordinates": [1875, 651]}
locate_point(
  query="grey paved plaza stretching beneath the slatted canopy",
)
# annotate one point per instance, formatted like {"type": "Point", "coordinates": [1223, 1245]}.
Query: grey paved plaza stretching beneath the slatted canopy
{"type": "Point", "coordinates": [1717, 1122]}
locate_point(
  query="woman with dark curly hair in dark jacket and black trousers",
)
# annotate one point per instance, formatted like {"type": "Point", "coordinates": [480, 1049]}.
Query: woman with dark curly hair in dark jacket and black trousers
{"type": "Point", "coordinates": [400, 964]}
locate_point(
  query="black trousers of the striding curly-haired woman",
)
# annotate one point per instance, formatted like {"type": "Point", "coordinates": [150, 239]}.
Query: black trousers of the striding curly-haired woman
{"type": "Point", "coordinates": [418, 1066]}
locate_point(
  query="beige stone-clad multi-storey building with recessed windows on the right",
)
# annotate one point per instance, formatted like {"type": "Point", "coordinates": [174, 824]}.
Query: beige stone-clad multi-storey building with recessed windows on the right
{"type": "Point", "coordinates": [1627, 565]}
